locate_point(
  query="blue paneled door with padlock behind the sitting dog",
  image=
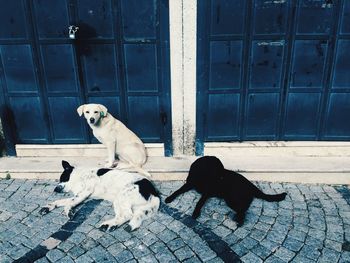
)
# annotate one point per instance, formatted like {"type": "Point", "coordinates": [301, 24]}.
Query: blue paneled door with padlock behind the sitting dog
{"type": "Point", "coordinates": [119, 58]}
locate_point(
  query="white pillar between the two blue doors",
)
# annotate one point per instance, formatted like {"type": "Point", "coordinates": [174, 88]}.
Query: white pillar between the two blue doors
{"type": "Point", "coordinates": [183, 36]}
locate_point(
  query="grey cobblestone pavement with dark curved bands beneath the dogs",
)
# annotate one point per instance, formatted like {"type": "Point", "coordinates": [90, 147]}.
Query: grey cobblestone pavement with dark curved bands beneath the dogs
{"type": "Point", "coordinates": [311, 225]}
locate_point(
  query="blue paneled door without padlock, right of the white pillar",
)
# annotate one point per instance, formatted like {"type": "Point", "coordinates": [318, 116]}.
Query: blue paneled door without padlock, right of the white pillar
{"type": "Point", "coordinates": [273, 70]}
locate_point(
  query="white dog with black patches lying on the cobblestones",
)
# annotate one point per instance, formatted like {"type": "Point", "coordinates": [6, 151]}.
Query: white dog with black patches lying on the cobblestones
{"type": "Point", "coordinates": [134, 197]}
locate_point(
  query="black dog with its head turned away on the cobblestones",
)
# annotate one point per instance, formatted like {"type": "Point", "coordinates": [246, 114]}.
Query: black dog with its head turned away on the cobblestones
{"type": "Point", "coordinates": [208, 176]}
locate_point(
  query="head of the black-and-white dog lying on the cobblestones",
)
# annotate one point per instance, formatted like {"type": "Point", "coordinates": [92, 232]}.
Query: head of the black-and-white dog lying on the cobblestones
{"type": "Point", "coordinates": [72, 179]}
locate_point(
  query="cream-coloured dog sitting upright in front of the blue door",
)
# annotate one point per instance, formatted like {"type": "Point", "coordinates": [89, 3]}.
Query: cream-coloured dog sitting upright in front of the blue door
{"type": "Point", "coordinates": [118, 139]}
